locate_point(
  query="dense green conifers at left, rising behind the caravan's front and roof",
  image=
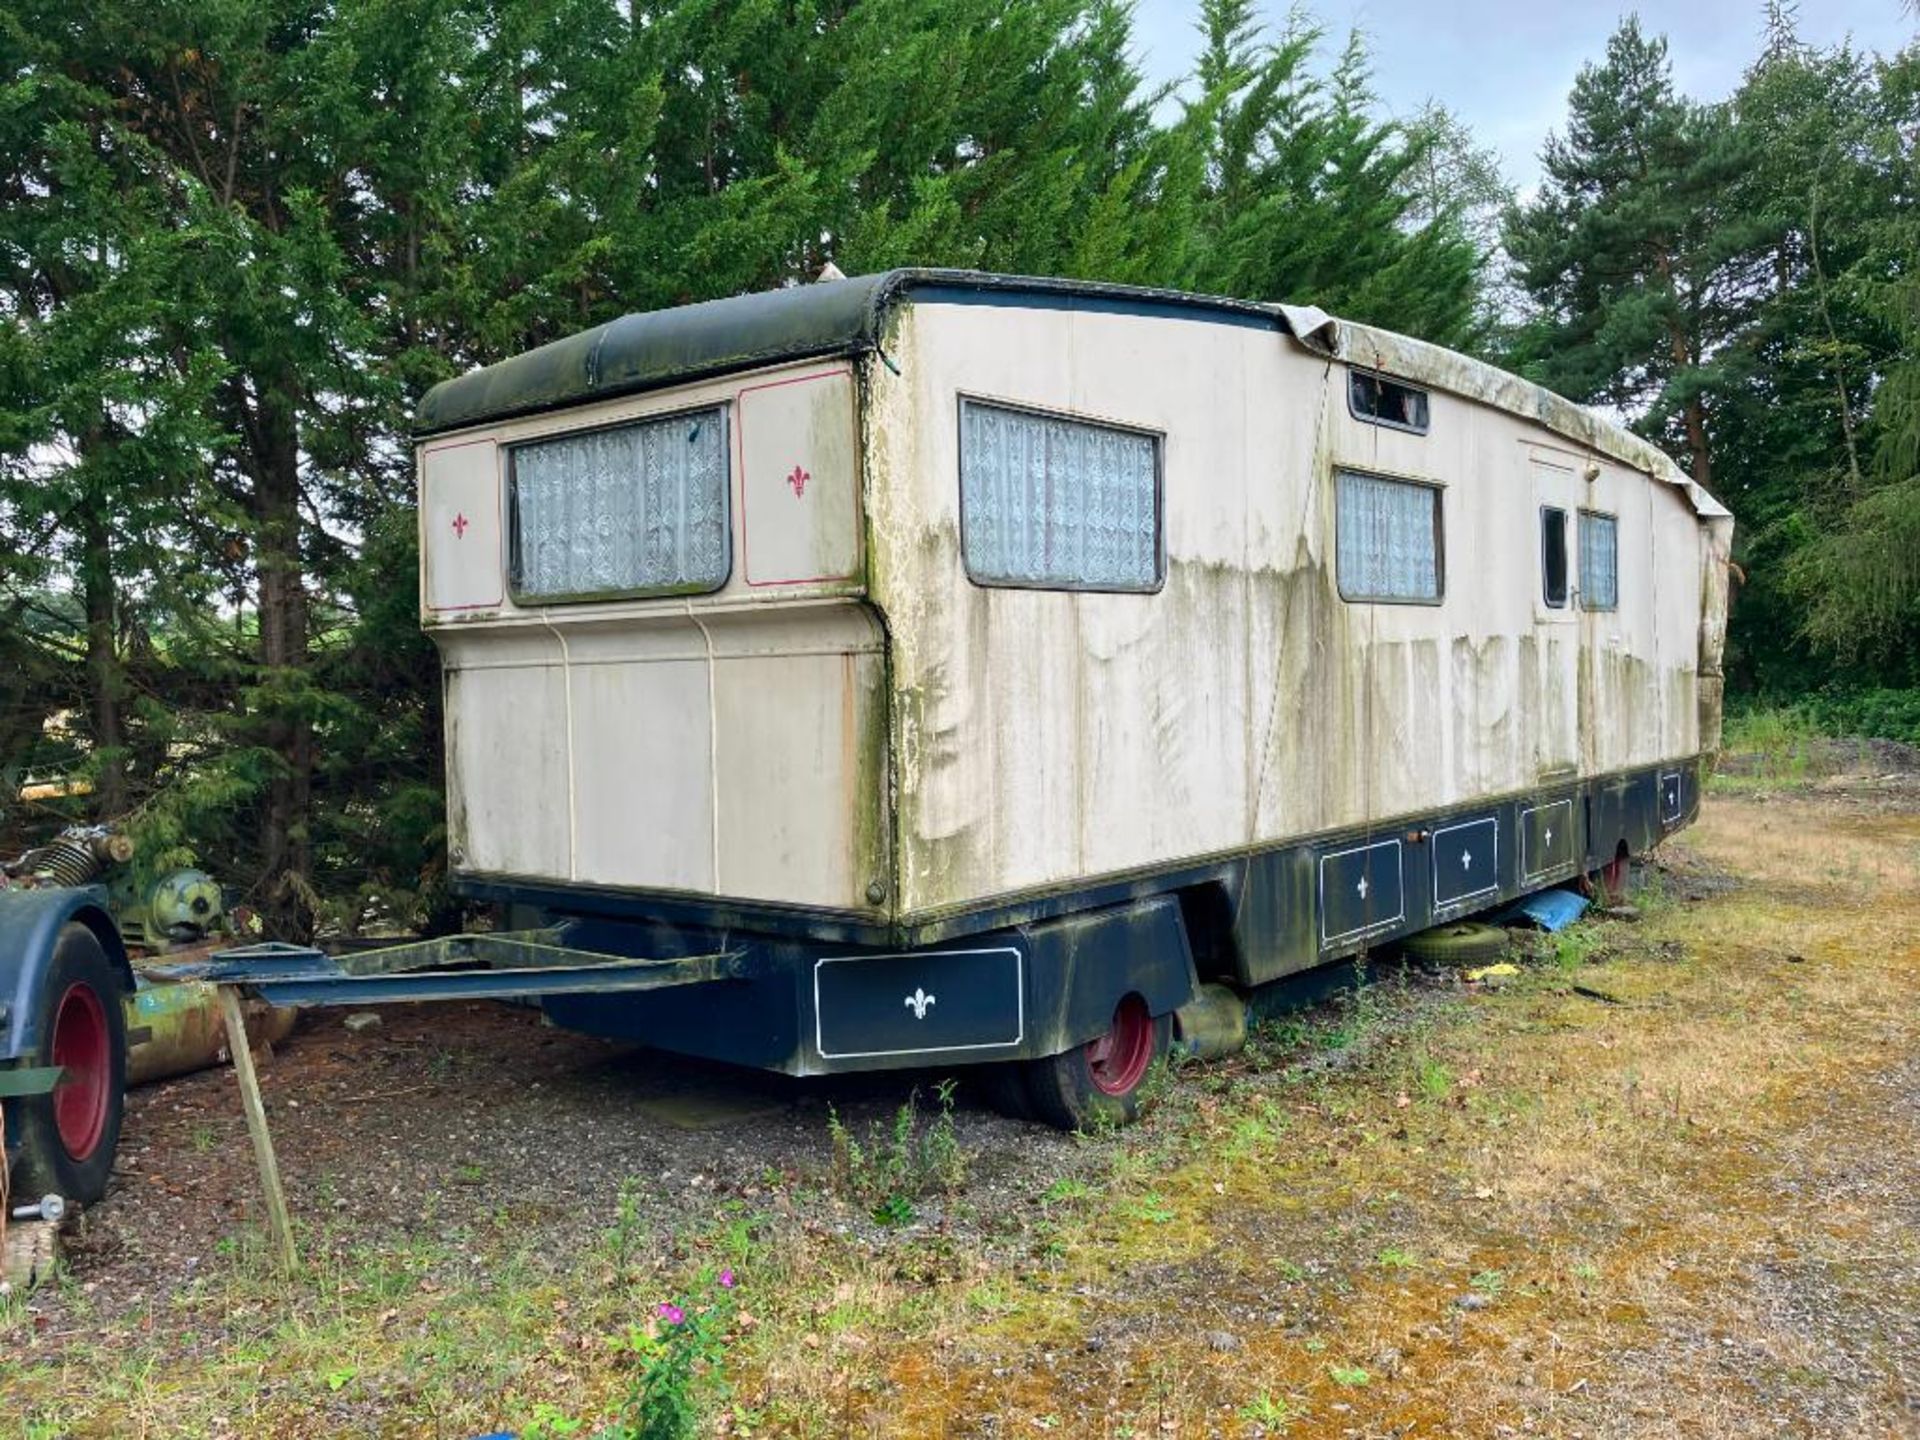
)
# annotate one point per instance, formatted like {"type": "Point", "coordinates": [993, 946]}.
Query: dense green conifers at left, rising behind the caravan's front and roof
{"type": "Point", "coordinates": [241, 239]}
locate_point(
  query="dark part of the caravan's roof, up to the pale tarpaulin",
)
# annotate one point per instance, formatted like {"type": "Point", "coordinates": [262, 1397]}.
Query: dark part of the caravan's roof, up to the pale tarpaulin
{"type": "Point", "coordinates": [744, 333]}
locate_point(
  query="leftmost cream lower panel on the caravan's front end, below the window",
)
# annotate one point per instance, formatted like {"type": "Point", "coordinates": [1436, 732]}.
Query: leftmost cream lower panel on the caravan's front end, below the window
{"type": "Point", "coordinates": [508, 780]}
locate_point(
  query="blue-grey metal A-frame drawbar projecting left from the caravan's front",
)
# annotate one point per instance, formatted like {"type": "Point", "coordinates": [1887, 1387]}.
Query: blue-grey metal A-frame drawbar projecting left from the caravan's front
{"type": "Point", "coordinates": [502, 967]}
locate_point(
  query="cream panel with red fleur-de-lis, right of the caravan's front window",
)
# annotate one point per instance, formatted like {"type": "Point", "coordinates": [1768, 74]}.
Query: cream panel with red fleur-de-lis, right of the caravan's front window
{"type": "Point", "coordinates": [800, 481]}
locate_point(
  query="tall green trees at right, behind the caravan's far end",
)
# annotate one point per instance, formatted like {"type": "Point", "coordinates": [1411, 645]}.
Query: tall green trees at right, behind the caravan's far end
{"type": "Point", "coordinates": [1744, 281]}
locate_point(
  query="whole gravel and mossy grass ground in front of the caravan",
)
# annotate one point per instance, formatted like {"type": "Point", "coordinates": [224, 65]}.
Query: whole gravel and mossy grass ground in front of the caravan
{"type": "Point", "coordinates": [1666, 1184]}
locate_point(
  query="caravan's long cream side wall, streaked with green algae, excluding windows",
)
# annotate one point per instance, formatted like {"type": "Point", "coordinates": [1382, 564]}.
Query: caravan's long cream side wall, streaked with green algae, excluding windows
{"type": "Point", "coordinates": [1045, 738]}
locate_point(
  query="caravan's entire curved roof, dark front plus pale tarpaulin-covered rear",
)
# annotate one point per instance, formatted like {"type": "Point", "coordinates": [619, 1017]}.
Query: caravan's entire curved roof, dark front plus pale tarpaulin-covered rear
{"type": "Point", "coordinates": [848, 318]}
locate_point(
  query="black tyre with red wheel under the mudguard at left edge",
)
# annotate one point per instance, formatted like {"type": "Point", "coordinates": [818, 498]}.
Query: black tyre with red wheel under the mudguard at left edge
{"type": "Point", "coordinates": [68, 1138]}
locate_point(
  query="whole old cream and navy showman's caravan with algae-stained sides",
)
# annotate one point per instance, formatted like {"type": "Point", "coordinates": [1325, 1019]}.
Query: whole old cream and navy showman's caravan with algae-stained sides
{"type": "Point", "coordinates": [971, 671]}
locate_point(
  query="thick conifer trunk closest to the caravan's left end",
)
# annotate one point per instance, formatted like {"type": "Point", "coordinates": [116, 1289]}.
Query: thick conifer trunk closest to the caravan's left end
{"type": "Point", "coordinates": [287, 848]}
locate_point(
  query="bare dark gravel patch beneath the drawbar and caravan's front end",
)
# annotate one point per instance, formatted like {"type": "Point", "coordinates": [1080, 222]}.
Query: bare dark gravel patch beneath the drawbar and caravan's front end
{"type": "Point", "coordinates": [448, 1111]}
